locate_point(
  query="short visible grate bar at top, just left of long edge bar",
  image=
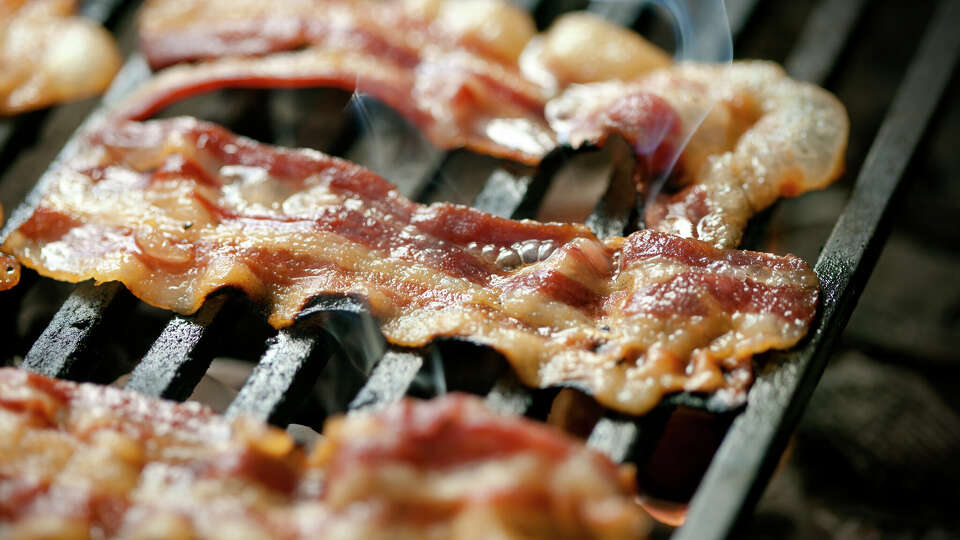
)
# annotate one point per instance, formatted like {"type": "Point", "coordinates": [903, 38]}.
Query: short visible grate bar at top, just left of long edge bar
{"type": "Point", "coordinates": [823, 38]}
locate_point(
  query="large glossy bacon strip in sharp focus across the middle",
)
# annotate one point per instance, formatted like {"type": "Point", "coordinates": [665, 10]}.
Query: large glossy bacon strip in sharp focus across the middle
{"type": "Point", "coordinates": [176, 209]}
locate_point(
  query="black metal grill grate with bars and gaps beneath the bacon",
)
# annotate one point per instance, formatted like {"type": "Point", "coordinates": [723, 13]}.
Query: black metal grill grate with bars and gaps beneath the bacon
{"type": "Point", "coordinates": [75, 343]}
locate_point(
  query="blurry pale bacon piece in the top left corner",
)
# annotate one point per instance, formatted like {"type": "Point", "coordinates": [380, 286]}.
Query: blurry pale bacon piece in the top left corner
{"type": "Point", "coordinates": [49, 56]}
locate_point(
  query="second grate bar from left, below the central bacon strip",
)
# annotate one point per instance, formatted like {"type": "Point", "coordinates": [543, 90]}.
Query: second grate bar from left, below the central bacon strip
{"type": "Point", "coordinates": [173, 366]}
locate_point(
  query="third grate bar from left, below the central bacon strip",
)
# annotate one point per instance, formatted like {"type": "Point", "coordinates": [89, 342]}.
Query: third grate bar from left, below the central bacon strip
{"type": "Point", "coordinates": [284, 376]}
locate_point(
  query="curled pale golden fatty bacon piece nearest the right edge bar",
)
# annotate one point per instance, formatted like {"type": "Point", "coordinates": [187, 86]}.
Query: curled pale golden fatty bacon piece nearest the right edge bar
{"type": "Point", "coordinates": [766, 136]}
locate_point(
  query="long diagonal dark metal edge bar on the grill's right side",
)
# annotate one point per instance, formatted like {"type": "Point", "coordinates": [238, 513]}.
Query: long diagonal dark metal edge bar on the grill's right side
{"type": "Point", "coordinates": [749, 452]}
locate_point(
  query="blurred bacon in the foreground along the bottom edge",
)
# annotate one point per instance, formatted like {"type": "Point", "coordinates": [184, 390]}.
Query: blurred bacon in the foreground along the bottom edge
{"type": "Point", "coordinates": [80, 460]}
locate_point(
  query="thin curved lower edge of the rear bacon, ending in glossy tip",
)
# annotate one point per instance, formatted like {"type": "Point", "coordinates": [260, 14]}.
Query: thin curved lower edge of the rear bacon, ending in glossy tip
{"type": "Point", "coordinates": [457, 99]}
